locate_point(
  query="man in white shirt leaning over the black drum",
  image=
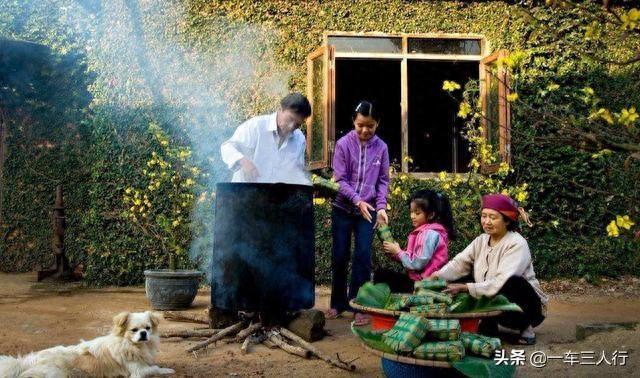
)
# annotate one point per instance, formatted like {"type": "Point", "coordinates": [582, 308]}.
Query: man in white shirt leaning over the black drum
{"type": "Point", "coordinates": [270, 148]}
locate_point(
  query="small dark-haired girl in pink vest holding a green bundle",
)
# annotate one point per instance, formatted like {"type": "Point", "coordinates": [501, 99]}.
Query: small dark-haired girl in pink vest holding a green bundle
{"type": "Point", "coordinates": [428, 244]}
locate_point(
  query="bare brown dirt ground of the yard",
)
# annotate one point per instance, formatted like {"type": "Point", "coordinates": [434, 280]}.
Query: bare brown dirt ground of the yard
{"type": "Point", "coordinates": [35, 316]}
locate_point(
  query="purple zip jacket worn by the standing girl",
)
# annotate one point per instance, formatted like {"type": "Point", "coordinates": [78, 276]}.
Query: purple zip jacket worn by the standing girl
{"type": "Point", "coordinates": [362, 172]}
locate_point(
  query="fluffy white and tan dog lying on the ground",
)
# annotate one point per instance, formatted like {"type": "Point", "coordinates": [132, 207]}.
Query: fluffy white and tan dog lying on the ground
{"type": "Point", "coordinates": [128, 351]}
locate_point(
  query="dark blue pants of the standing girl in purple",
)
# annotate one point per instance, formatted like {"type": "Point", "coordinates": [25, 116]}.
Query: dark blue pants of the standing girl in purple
{"type": "Point", "coordinates": [343, 225]}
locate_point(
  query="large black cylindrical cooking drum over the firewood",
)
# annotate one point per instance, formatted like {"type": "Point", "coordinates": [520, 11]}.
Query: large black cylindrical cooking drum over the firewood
{"type": "Point", "coordinates": [263, 249]}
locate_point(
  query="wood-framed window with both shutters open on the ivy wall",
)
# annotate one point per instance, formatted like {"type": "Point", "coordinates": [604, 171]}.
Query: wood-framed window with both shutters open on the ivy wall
{"type": "Point", "coordinates": [403, 73]}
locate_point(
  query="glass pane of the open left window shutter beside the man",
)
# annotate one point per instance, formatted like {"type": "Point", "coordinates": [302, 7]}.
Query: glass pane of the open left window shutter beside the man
{"type": "Point", "coordinates": [317, 117]}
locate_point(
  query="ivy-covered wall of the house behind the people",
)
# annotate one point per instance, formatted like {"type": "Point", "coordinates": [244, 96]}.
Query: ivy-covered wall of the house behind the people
{"type": "Point", "coordinates": [207, 65]}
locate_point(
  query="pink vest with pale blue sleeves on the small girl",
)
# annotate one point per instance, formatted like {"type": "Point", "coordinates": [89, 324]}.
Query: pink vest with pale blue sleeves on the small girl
{"type": "Point", "coordinates": [427, 251]}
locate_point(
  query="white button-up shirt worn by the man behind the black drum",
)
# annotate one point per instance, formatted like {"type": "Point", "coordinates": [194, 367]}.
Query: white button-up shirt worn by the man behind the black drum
{"type": "Point", "coordinates": [257, 140]}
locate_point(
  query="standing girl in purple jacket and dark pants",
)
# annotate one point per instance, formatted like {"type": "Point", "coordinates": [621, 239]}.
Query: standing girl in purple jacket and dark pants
{"type": "Point", "coordinates": [361, 167]}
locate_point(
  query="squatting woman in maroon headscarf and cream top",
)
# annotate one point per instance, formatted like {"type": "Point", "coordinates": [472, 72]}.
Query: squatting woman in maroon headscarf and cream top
{"type": "Point", "coordinates": [499, 261]}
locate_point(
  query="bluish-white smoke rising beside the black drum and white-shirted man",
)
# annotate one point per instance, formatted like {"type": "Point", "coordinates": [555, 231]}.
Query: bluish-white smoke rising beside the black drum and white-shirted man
{"type": "Point", "coordinates": [200, 75]}
